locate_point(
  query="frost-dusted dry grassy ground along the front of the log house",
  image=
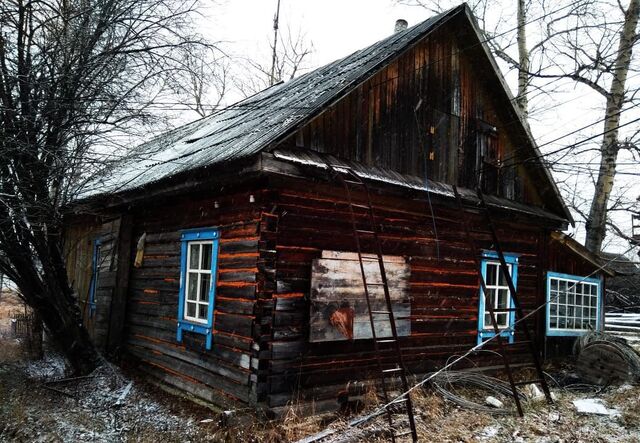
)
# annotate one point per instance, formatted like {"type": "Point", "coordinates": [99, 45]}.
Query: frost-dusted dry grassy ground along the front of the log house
{"type": "Point", "coordinates": [38, 404]}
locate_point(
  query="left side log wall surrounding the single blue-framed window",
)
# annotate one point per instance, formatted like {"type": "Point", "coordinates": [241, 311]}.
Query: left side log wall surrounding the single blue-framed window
{"type": "Point", "coordinates": [226, 374]}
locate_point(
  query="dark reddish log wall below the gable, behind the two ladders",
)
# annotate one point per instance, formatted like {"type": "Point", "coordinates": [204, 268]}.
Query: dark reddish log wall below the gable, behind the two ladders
{"type": "Point", "coordinates": [444, 290]}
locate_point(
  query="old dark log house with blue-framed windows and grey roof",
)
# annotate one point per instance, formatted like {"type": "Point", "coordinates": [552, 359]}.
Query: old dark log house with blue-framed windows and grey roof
{"type": "Point", "coordinates": [220, 258]}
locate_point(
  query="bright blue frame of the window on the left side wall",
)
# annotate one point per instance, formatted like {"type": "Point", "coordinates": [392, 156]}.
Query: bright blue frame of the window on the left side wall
{"type": "Point", "coordinates": [206, 329]}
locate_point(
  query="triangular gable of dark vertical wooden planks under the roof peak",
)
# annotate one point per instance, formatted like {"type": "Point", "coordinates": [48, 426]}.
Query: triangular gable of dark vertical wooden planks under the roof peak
{"type": "Point", "coordinates": [427, 114]}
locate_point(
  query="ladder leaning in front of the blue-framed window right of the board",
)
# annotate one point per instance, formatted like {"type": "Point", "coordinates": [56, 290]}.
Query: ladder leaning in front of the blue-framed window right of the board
{"type": "Point", "coordinates": [520, 319]}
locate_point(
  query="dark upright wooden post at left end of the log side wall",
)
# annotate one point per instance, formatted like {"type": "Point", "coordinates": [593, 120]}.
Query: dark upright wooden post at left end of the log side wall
{"type": "Point", "coordinates": [119, 300]}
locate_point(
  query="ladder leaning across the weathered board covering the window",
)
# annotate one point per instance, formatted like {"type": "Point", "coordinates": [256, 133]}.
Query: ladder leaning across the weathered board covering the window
{"type": "Point", "coordinates": [351, 181]}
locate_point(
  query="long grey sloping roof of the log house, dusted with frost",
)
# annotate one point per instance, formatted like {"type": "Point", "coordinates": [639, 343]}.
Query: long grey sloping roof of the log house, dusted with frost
{"type": "Point", "coordinates": [249, 126]}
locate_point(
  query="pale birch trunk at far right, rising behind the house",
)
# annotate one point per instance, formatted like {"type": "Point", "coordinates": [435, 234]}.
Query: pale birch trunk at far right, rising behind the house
{"type": "Point", "coordinates": [596, 223]}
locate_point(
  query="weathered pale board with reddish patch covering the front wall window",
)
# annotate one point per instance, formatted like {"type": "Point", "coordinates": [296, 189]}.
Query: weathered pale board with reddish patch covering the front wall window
{"type": "Point", "coordinates": [338, 304]}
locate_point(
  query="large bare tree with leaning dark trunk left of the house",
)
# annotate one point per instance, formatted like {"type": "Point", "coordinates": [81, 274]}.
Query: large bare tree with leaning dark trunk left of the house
{"type": "Point", "coordinates": [74, 74]}
